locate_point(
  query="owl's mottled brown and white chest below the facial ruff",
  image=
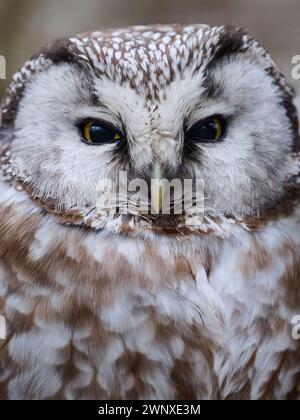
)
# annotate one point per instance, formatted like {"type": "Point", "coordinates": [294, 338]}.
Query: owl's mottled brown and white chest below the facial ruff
{"type": "Point", "coordinates": [157, 321]}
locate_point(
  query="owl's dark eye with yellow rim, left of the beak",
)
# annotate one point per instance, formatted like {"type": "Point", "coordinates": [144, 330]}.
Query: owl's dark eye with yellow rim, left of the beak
{"type": "Point", "coordinates": [95, 133]}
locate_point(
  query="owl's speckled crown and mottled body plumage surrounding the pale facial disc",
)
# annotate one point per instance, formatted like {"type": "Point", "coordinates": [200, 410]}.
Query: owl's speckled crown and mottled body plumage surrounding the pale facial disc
{"type": "Point", "coordinates": [136, 311]}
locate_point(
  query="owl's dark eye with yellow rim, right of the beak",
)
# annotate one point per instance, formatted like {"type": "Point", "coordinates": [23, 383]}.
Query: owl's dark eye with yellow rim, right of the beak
{"type": "Point", "coordinates": [207, 131]}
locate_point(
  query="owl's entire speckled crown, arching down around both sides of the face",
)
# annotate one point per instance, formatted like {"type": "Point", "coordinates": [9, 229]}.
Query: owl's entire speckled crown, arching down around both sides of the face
{"type": "Point", "coordinates": [147, 58]}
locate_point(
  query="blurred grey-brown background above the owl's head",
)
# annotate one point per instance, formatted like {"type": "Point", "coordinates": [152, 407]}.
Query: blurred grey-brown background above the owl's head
{"type": "Point", "coordinates": [27, 24]}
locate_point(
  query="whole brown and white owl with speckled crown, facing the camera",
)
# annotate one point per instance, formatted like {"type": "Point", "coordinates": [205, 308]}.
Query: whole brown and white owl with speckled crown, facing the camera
{"type": "Point", "coordinates": [116, 303]}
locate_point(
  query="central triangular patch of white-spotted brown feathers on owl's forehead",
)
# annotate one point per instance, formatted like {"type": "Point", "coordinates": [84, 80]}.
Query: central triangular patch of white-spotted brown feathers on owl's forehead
{"type": "Point", "coordinates": [147, 57]}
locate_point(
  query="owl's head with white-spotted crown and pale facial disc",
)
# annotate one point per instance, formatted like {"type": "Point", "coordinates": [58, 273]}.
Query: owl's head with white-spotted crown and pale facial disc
{"type": "Point", "coordinates": [197, 102]}
